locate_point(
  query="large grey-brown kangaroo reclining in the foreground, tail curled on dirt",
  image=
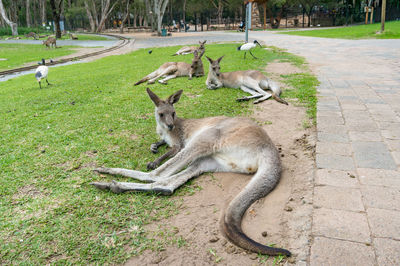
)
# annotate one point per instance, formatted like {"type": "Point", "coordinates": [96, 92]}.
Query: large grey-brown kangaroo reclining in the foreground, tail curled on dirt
{"type": "Point", "coordinates": [212, 144]}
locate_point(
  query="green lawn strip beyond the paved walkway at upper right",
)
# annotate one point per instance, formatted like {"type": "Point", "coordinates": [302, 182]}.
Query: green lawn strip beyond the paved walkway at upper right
{"type": "Point", "coordinates": [392, 31]}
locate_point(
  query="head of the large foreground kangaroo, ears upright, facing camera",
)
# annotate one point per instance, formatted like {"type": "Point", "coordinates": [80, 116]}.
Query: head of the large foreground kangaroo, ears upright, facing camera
{"type": "Point", "coordinates": [165, 111]}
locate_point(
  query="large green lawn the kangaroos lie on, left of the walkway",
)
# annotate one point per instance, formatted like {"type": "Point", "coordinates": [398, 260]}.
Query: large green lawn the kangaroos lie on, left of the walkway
{"type": "Point", "coordinates": [92, 116]}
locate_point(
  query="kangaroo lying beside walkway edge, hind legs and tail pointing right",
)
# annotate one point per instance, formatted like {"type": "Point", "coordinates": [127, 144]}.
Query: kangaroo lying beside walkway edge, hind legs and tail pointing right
{"type": "Point", "coordinates": [251, 81]}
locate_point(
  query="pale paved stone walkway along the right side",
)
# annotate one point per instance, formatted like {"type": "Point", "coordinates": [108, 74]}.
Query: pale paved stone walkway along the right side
{"type": "Point", "coordinates": [356, 219]}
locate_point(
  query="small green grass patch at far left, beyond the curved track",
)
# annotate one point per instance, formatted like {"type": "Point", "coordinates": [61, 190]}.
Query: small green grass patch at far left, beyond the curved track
{"type": "Point", "coordinates": [18, 54]}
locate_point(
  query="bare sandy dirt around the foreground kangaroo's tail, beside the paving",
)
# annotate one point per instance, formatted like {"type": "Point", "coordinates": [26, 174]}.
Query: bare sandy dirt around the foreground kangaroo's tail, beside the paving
{"type": "Point", "coordinates": [282, 218]}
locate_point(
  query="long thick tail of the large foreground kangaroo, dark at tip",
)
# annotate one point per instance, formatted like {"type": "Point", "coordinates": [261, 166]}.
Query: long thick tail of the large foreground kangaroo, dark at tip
{"type": "Point", "coordinates": [260, 185]}
